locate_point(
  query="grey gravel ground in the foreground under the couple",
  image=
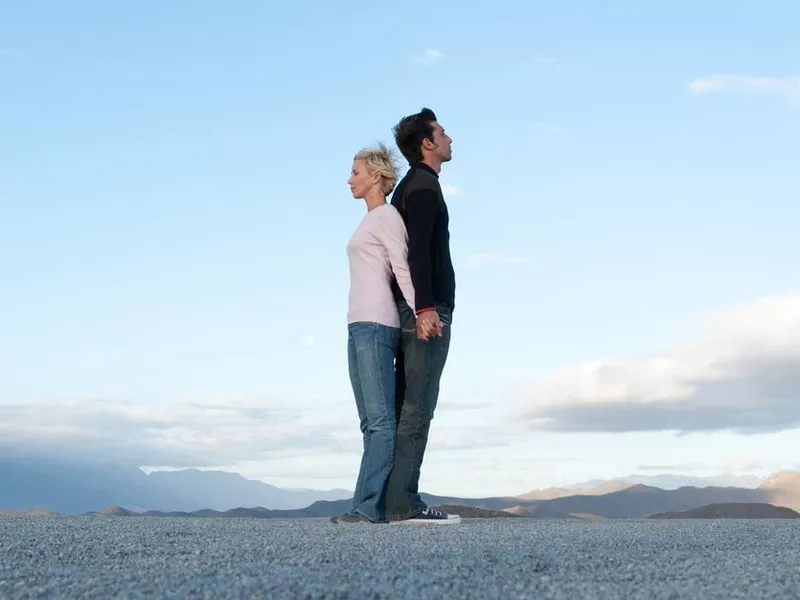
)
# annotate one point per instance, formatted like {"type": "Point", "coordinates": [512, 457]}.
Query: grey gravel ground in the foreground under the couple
{"type": "Point", "coordinates": [140, 557]}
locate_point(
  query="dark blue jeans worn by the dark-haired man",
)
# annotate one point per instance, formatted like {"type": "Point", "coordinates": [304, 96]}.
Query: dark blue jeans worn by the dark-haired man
{"type": "Point", "coordinates": [419, 370]}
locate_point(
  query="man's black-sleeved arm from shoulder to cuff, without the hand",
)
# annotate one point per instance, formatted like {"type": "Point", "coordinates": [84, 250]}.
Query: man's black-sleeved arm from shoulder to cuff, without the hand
{"type": "Point", "coordinates": [422, 208]}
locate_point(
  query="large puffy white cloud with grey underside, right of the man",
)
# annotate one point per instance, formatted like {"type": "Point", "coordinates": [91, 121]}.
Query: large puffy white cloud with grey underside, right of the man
{"type": "Point", "coordinates": [743, 375]}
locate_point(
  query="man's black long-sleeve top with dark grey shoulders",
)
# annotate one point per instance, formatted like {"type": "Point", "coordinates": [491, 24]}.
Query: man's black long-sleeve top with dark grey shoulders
{"type": "Point", "coordinates": [419, 199]}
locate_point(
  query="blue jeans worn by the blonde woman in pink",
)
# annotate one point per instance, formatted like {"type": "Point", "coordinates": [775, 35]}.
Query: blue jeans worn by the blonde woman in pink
{"type": "Point", "coordinates": [371, 350]}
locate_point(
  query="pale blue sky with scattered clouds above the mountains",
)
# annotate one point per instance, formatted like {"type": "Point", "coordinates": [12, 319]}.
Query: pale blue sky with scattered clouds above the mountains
{"type": "Point", "coordinates": [624, 211]}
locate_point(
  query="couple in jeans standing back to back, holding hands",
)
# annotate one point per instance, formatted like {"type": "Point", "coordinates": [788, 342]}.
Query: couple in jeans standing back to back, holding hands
{"type": "Point", "coordinates": [402, 292]}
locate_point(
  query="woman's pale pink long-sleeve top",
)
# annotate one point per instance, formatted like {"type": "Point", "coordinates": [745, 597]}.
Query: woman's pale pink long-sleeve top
{"type": "Point", "coordinates": [378, 249]}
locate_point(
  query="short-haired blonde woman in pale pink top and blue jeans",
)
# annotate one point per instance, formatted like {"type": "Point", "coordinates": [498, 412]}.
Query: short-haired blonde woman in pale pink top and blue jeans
{"type": "Point", "coordinates": [377, 251]}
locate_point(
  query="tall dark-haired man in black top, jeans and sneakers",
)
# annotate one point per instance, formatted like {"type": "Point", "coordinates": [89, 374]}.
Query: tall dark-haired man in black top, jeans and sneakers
{"type": "Point", "coordinates": [426, 334]}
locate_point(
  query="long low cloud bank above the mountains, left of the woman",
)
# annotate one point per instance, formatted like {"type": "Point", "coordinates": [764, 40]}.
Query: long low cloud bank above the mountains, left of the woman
{"type": "Point", "coordinates": [210, 433]}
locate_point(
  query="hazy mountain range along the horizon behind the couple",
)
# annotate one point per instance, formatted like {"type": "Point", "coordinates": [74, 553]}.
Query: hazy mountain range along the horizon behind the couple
{"type": "Point", "coordinates": [70, 488]}
